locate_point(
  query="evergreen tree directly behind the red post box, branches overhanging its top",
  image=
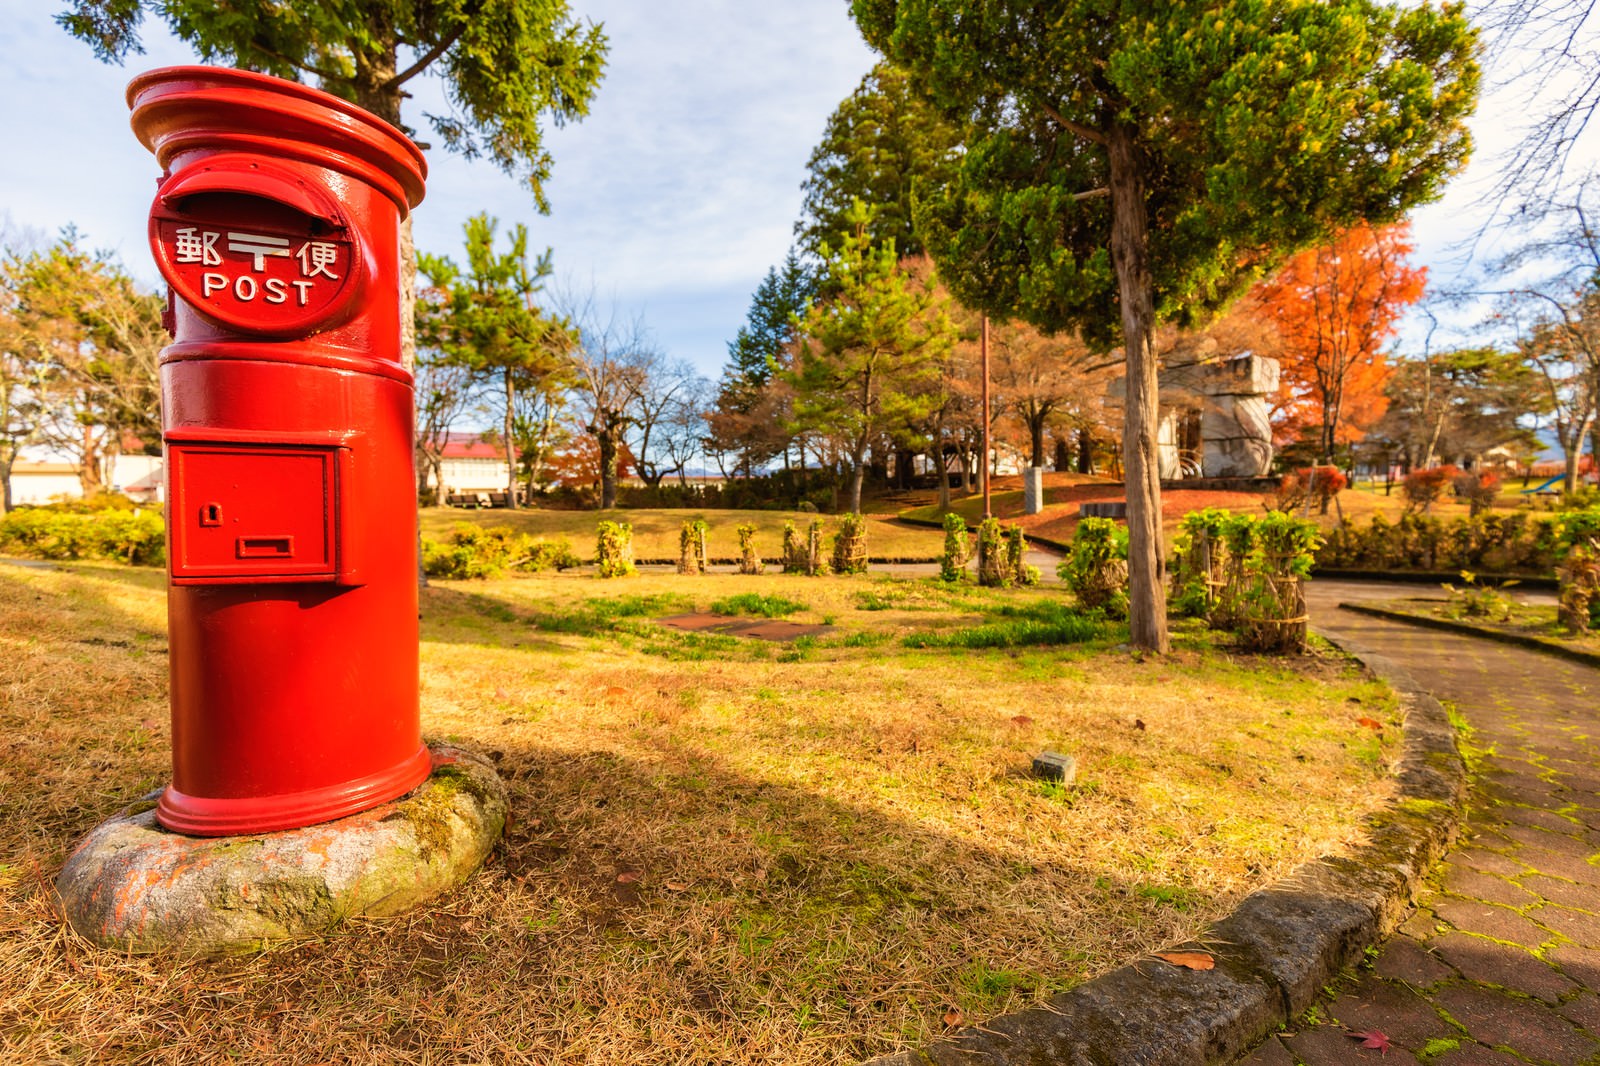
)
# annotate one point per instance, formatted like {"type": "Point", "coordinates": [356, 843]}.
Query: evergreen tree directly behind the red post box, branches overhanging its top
{"type": "Point", "coordinates": [506, 66]}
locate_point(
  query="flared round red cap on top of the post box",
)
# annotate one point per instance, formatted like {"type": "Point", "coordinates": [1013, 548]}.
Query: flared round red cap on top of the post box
{"type": "Point", "coordinates": [182, 110]}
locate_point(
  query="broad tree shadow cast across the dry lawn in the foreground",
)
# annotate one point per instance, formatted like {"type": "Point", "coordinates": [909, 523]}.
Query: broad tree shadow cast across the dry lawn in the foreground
{"type": "Point", "coordinates": [658, 904]}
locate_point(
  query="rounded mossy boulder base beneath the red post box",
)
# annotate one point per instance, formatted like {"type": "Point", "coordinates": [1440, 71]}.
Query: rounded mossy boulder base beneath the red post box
{"type": "Point", "coordinates": [135, 886]}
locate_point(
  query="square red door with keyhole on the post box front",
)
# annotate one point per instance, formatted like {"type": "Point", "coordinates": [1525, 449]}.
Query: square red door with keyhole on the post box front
{"type": "Point", "coordinates": [255, 513]}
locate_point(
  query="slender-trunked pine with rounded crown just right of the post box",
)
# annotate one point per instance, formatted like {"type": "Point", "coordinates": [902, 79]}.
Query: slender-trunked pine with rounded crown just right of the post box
{"type": "Point", "coordinates": [486, 318]}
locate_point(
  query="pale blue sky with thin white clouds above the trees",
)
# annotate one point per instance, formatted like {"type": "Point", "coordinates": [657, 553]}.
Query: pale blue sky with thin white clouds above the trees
{"type": "Point", "coordinates": [670, 202]}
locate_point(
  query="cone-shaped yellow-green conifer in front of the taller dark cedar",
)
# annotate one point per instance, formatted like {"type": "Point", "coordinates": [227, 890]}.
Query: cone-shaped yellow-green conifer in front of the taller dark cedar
{"type": "Point", "coordinates": [865, 351]}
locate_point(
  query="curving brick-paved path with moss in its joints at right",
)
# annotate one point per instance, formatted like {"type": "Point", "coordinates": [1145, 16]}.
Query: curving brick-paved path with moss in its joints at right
{"type": "Point", "coordinates": [1502, 961]}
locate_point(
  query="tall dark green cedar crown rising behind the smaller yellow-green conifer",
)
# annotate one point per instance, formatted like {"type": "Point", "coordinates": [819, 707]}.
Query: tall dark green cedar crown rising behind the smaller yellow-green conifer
{"type": "Point", "coordinates": [879, 142]}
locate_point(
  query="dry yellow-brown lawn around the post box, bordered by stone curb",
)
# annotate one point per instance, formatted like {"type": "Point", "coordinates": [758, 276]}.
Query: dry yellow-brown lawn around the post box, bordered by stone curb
{"type": "Point", "coordinates": [724, 852]}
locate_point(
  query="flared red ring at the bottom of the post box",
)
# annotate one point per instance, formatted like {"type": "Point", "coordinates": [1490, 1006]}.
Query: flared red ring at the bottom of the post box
{"type": "Point", "coordinates": [210, 817]}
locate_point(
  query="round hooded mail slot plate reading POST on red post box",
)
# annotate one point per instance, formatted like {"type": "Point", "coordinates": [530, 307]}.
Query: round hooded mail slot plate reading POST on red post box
{"type": "Point", "coordinates": [254, 247]}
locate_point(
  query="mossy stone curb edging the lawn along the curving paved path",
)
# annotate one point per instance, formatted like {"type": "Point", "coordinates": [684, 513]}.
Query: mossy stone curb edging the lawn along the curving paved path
{"type": "Point", "coordinates": [1274, 953]}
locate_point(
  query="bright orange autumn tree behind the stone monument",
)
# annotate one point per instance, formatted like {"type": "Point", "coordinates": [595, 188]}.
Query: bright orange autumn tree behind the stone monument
{"type": "Point", "coordinates": [1334, 310]}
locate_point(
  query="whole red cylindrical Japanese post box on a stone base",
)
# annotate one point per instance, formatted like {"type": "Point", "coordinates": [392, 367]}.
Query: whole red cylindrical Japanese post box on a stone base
{"type": "Point", "coordinates": [287, 415]}
